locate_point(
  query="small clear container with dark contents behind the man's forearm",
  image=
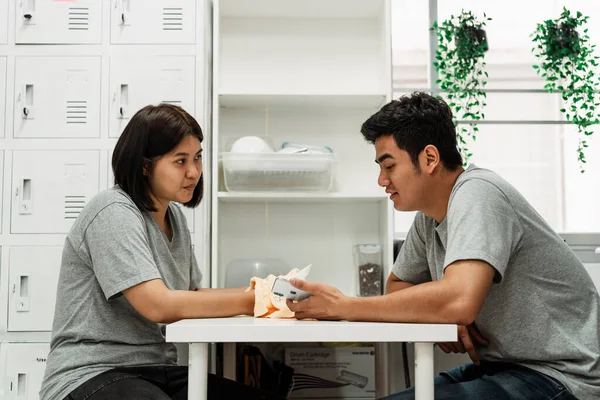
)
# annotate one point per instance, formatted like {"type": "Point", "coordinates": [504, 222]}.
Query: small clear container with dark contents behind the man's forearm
{"type": "Point", "coordinates": [368, 260]}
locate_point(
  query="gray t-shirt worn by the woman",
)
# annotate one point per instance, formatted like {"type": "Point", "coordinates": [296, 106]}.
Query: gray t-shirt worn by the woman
{"type": "Point", "coordinates": [111, 247]}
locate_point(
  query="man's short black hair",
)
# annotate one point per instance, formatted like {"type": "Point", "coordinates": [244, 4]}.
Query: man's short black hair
{"type": "Point", "coordinates": [416, 121]}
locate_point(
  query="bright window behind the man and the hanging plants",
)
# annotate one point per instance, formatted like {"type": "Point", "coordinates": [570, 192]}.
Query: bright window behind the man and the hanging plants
{"type": "Point", "coordinates": [524, 137]}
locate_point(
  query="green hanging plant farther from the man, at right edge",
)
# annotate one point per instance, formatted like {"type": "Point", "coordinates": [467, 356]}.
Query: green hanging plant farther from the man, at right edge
{"type": "Point", "coordinates": [566, 61]}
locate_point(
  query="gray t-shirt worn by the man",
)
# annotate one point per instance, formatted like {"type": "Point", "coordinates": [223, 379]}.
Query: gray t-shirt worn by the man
{"type": "Point", "coordinates": [543, 310]}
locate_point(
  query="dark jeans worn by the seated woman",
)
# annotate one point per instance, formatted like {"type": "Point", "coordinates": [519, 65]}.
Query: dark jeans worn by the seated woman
{"type": "Point", "coordinates": [159, 383]}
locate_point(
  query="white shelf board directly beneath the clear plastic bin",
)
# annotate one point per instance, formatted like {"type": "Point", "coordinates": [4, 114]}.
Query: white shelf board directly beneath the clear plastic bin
{"type": "Point", "coordinates": [300, 197]}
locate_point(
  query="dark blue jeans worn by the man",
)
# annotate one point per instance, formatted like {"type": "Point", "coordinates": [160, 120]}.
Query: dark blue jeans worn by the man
{"type": "Point", "coordinates": [493, 381]}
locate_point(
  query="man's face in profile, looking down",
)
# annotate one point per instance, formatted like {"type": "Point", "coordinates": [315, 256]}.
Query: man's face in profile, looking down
{"type": "Point", "coordinates": [404, 182]}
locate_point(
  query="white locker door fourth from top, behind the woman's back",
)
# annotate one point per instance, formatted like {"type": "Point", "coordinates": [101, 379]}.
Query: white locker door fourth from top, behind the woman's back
{"type": "Point", "coordinates": [33, 272]}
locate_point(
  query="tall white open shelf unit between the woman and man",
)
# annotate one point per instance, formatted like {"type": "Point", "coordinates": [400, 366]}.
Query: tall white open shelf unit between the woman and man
{"type": "Point", "coordinates": [310, 72]}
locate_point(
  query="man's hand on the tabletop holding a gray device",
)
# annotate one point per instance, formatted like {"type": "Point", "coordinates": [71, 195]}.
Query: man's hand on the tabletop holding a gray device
{"type": "Point", "coordinates": [326, 301]}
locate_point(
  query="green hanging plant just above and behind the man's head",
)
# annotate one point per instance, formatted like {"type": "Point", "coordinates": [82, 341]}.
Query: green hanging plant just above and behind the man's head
{"type": "Point", "coordinates": [460, 64]}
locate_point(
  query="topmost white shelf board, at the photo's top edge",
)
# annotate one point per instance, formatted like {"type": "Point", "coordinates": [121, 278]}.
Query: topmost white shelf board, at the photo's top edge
{"type": "Point", "coordinates": [301, 9]}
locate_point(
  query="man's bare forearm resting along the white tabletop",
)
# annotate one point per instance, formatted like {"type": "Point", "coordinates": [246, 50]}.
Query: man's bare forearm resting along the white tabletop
{"type": "Point", "coordinates": [431, 302]}
